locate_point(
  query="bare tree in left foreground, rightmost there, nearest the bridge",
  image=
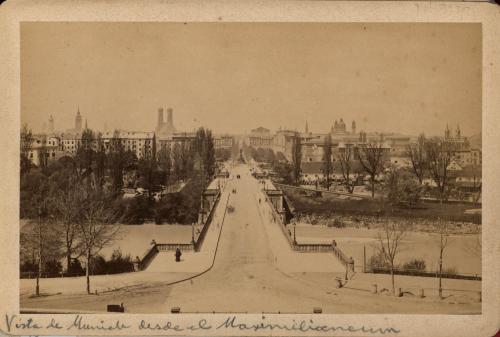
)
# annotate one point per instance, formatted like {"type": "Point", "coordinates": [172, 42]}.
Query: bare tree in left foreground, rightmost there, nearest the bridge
{"type": "Point", "coordinates": [95, 226]}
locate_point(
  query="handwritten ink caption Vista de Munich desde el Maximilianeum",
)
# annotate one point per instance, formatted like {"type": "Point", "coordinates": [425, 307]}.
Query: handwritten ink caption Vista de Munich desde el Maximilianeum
{"type": "Point", "coordinates": [79, 323]}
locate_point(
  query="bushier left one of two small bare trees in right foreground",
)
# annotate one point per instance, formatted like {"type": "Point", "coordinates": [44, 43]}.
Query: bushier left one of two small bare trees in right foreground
{"type": "Point", "coordinates": [389, 244]}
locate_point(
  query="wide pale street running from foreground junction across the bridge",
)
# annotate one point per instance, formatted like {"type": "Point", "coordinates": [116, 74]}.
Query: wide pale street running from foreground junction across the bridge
{"type": "Point", "coordinates": [254, 270]}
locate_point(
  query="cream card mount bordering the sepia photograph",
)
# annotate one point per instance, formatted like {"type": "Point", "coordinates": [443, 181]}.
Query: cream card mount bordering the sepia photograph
{"type": "Point", "coordinates": [175, 322]}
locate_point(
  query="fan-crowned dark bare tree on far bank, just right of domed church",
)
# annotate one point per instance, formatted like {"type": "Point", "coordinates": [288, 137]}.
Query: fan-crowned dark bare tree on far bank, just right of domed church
{"type": "Point", "coordinates": [371, 158]}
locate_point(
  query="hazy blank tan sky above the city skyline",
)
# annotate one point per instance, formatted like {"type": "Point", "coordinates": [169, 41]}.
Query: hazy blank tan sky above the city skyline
{"type": "Point", "coordinates": [232, 77]}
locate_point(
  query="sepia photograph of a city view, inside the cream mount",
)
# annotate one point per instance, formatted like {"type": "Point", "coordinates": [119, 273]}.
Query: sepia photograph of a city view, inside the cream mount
{"type": "Point", "coordinates": [223, 167]}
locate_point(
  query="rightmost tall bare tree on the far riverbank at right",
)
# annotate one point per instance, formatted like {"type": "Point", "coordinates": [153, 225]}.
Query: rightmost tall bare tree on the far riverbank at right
{"type": "Point", "coordinates": [438, 154]}
